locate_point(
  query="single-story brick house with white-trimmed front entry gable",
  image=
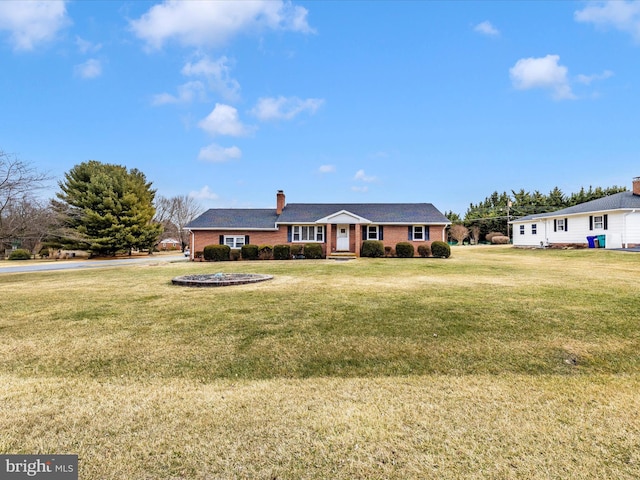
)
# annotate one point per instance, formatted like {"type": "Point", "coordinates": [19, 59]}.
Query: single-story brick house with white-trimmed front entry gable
{"type": "Point", "coordinates": [339, 227]}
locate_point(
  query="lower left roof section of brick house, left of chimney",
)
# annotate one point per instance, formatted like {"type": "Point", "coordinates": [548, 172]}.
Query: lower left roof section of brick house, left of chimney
{"type": "Point", "coordinates": [235, 218]}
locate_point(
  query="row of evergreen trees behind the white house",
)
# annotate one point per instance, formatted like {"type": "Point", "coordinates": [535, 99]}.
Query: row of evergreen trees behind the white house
{"type": "Point", "coordinates": [495, 211]}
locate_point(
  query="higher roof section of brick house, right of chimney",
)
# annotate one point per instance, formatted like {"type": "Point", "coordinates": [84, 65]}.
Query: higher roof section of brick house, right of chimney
{"type": "Point", "coordinates": [377, 213]}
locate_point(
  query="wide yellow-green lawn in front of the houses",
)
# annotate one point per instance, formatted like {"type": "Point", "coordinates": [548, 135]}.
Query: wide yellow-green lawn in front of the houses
{"type": "Point", "coordinates": [495, 363]}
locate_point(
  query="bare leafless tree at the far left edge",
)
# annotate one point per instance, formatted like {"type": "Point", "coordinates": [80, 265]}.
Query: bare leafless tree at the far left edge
{"type": "Point", "coordinates": [18, 182]}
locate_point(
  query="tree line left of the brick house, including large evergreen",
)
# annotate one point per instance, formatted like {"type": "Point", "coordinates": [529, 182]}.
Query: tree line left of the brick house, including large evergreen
{"type": "Point", "coordinates": [102, 208]}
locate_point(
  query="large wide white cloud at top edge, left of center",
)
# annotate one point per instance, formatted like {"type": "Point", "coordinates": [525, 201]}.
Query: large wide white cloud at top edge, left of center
{"type": "Point", "coordinates": [199, 24]}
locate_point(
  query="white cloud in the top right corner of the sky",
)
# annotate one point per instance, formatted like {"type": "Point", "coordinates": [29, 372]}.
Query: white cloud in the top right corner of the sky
{"type": "Point", "coordinates": [621, 15]}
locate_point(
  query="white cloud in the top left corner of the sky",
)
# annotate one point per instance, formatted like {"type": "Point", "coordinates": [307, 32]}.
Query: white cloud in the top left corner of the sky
{"type": "Point", "coordinates": [32, 23]}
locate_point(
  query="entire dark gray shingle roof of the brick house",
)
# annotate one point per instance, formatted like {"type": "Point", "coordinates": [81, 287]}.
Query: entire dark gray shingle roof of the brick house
{"type": "Point", "coordinates": [378, 213]}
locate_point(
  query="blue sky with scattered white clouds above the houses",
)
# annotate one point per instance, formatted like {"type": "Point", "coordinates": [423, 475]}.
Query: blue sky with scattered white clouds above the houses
{"type": "Point", "coordinates": [330, 101]}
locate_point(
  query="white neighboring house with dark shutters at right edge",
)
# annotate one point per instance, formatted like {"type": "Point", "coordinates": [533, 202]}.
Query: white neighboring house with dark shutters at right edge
{"type": "Point", "coordinates": [616, 216]}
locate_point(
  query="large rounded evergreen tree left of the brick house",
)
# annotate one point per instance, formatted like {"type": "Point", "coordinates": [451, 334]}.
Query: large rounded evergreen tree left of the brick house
{"type": "Point", "coordinates": [108, 208]}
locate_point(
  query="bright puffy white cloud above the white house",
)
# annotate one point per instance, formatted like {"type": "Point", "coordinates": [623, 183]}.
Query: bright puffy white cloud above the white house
{"type": "Point", "coordinates": [545, 73]}
